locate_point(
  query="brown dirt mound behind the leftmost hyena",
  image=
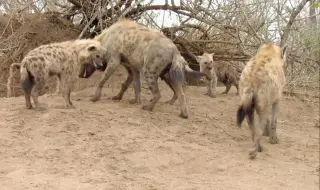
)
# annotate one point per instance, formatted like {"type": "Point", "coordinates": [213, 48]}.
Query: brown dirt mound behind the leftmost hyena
{"type": "Point", "coordinates": [21, 33]}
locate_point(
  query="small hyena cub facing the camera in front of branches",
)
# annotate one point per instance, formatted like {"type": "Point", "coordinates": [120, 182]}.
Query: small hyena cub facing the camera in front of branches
{"type": "Point", "coordinates": [226, 72]}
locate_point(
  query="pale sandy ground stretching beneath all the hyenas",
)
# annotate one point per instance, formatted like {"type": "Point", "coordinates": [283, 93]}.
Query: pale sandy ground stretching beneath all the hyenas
{"type": "Point", "coordinates": [116, 145]}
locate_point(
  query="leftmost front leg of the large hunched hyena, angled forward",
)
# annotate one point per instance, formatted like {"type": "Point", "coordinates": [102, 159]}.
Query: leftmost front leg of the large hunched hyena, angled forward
{"type": "Point", "coordinates": [113, 64]}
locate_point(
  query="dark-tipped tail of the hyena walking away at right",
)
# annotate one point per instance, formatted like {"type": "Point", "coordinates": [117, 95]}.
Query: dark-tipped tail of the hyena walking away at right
{"type": "Point", "coordinates": [247, 105]}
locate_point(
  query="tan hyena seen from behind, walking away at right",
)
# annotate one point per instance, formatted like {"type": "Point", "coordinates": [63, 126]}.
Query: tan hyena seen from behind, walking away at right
{"type": "Point", "coordinates": [261, 85]}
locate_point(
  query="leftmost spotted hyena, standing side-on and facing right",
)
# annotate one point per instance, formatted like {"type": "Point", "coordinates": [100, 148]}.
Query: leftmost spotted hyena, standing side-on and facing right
{"type": "Point", "coordinates": [62, 60]}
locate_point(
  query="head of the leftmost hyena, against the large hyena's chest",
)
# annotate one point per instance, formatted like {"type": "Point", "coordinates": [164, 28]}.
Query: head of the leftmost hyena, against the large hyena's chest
{"type": "Point", "coordinates": [90, 57]}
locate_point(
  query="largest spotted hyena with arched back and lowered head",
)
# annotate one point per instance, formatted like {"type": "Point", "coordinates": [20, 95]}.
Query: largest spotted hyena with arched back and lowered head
{"type": "Point", "coordinates": [140, 49]}
